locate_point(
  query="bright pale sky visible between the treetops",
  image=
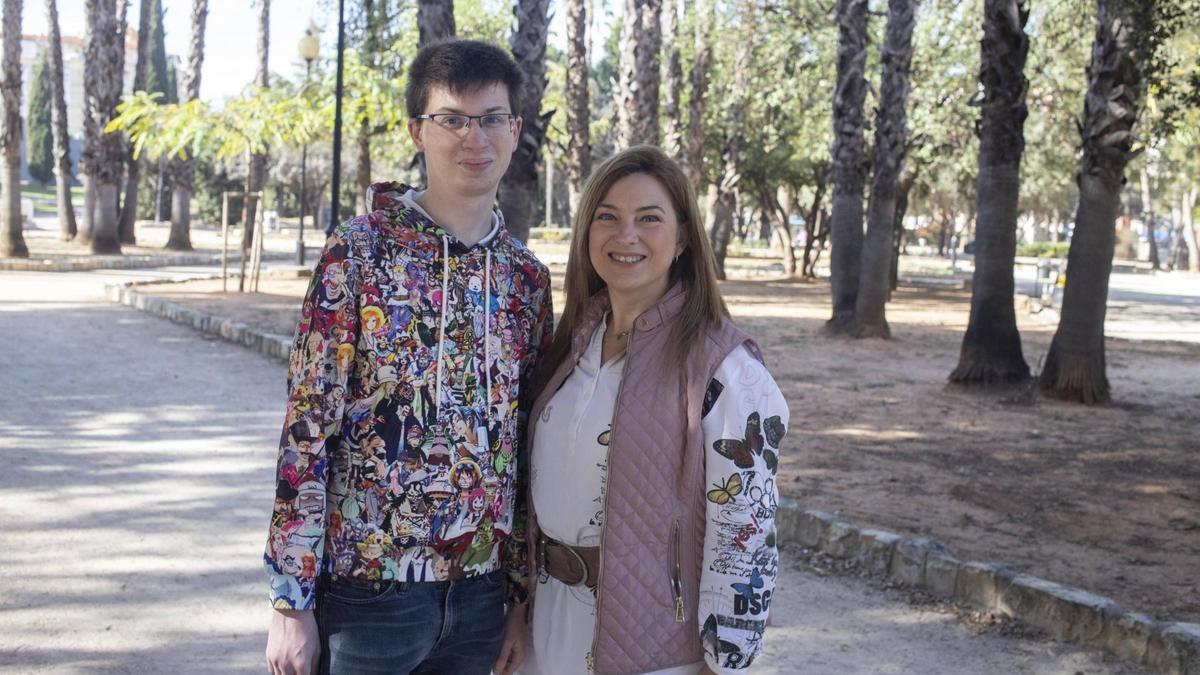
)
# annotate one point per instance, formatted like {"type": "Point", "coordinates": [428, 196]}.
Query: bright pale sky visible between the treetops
{"type": "Point", "coordinates": [230, 39]}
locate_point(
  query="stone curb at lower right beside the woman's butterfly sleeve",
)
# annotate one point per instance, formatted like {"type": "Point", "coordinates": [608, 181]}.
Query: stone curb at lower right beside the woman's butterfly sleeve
{"type": "Point", "coordinates": [1061, 612]}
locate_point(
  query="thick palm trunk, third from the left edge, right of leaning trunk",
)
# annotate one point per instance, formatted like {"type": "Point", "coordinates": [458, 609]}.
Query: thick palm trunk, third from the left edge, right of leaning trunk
{"type": "Point", "coordinates": [103, 153]}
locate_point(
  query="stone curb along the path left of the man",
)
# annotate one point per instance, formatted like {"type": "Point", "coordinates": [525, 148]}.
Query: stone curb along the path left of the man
{"type": "Point", "coordinates": [267, 344]}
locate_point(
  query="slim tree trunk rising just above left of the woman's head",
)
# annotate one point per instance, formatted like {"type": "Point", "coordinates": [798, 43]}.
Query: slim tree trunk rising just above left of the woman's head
{"type": "Point", "coordinates": [579, 117]}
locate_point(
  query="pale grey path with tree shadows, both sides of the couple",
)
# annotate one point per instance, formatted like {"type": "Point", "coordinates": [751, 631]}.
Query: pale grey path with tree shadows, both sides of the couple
{"type": "Point", "coordinates": [135, 494]}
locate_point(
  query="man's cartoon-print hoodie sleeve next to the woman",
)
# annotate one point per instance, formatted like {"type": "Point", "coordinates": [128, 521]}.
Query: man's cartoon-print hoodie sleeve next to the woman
{"type": "Point", "coordinates": [518, 553]}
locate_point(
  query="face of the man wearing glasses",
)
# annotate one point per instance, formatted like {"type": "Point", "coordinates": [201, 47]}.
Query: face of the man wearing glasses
{"type": "Point", "coordinates": [469, 163]}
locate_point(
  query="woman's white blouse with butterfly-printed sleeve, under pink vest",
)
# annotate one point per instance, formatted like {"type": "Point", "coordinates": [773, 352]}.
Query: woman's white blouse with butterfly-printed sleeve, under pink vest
{"type": "Point", "coordinates": [569, 469]}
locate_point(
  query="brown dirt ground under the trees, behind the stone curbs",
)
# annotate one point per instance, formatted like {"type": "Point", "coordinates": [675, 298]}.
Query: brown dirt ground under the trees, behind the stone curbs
{"type": "Point", "coordinates": [1105, 499]}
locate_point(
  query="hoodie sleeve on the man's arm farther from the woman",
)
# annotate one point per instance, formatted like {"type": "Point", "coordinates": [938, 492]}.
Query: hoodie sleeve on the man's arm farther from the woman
{"type": "Point", "coordinates": [319, 369]}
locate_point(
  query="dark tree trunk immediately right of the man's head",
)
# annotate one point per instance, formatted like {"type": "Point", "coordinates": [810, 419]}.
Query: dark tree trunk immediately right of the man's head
{"type": "Point", "coordinates": [519, 188]}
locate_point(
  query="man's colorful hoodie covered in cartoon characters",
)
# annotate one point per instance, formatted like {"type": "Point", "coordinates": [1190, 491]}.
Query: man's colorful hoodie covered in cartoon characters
{"type": "Point", "coordinates": [404, 438]}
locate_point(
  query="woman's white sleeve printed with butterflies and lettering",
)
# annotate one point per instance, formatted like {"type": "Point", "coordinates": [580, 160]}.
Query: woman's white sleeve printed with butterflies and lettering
{"type": "Point", "coordinates": [745, 421]}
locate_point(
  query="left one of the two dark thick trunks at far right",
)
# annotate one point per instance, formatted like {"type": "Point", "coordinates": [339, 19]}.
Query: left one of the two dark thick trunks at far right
{"type": "Point", "coordinates": [992, 347]}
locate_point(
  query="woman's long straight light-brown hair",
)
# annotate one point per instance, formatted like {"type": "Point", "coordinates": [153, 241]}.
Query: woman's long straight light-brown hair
{"type": "Point", "coordinates": [695, 267]}
